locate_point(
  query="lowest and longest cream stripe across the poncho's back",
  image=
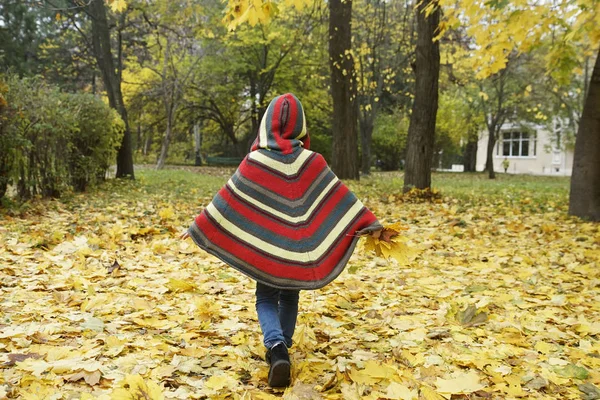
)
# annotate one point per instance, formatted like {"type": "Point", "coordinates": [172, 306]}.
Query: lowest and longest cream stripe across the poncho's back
{"type": "Point", "coordinates": [280, 252]}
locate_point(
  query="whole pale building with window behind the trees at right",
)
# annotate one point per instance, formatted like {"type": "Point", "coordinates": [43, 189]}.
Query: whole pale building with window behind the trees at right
{"type": "Point", "coordinates": [528, 150]}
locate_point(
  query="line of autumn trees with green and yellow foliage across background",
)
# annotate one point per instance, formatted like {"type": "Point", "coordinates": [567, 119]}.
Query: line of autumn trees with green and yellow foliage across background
{"type": "Point", "coordinates": [376, 77]}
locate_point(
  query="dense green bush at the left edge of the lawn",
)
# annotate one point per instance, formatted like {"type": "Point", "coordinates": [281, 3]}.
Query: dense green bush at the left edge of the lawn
{"type": "Point", "coordinates": [51, 142]}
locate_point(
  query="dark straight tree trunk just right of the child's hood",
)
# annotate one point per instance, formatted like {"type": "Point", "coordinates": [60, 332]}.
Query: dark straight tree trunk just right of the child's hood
{"type": "Point", "coordinates": [343, 91]}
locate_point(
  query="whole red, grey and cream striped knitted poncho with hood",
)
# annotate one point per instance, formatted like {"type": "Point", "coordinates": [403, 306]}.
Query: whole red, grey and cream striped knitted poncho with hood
{"type": "Point", "coordinates": [284, 218]}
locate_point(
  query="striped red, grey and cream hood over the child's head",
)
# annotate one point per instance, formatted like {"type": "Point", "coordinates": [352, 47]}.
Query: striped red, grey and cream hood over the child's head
{"type": "Point", "coordinates": [283, 126]}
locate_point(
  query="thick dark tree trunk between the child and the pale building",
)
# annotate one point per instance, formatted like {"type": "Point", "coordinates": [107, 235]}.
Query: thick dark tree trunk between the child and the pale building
{"type": "Point", "coordinates": [421, 131]}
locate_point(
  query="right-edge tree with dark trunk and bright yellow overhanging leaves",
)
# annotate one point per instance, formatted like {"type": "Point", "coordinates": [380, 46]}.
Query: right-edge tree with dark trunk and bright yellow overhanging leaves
{"type": "Point", "coordinates": [522, 26]}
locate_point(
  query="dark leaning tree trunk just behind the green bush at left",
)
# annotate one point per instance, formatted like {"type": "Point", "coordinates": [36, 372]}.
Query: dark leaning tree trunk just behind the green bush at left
{"type": "Point", "coordinates": [112, 83]}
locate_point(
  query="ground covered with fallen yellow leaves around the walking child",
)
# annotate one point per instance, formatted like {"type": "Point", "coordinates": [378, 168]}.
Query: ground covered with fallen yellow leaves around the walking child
{"type": "Point", "coordinates": [500, 300]}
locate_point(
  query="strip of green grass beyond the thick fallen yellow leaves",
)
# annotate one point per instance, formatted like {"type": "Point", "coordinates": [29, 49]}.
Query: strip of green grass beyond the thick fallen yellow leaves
{"type": "Point", "coordinates": [198, 185]}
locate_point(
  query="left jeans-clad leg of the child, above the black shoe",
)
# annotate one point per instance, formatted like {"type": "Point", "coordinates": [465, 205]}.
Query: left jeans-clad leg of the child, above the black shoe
{"type": "Point", "coordinates": [267, 299]}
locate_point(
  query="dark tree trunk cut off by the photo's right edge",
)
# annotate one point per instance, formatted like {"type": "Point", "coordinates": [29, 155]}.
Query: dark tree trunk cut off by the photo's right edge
{"type": "Point", "coordinates": [584, 198]}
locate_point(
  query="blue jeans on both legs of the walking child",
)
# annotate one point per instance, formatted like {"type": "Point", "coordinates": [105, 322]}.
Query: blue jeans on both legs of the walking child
{"type": "Point", "coordinates": [277, 311]}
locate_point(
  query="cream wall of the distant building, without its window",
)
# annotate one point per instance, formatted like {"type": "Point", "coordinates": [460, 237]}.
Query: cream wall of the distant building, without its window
{"type": "Point", "coordinates": [545, 161]}
